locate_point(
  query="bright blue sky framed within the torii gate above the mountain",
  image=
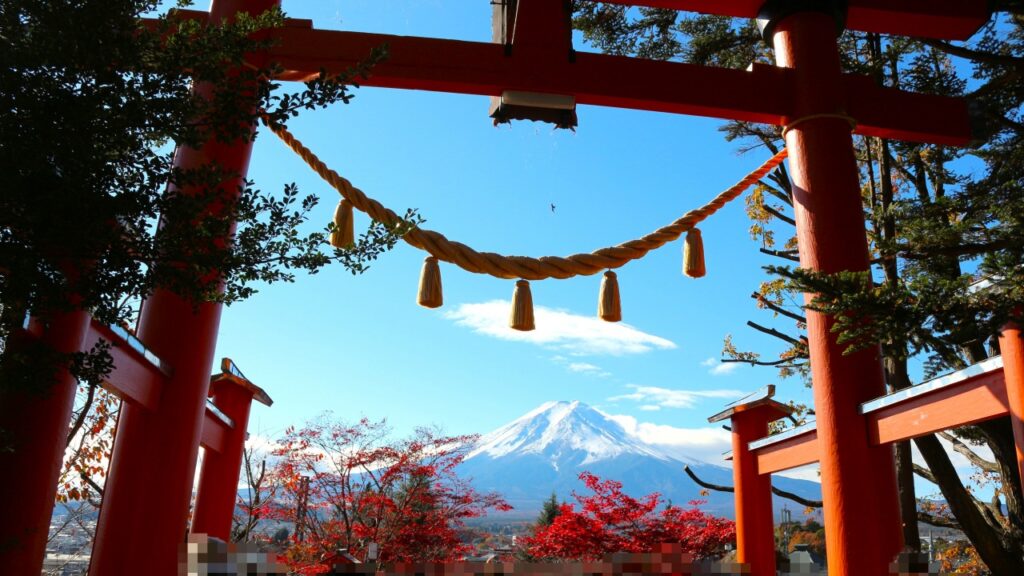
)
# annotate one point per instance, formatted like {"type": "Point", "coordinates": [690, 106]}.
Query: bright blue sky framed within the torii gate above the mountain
{"type": "Point", "coordinates": [360, 346]}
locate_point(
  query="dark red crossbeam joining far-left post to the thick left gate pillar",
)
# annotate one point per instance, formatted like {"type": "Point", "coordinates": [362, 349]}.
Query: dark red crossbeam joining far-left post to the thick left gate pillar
{"type": "Point", "coordinates": [134, 379]}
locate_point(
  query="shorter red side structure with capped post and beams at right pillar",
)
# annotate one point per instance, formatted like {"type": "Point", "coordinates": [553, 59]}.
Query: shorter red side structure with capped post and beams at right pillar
{"type": "Point", "coordinates": [992, 389]}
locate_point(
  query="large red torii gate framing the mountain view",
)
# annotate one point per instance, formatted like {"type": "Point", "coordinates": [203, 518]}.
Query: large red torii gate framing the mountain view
{"type": "Point", "coordinates": [146, 504]}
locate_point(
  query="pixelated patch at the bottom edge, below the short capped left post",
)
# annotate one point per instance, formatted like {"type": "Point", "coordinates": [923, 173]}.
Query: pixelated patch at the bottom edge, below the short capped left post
{"type": "Point", "coordinates": [203, 556]}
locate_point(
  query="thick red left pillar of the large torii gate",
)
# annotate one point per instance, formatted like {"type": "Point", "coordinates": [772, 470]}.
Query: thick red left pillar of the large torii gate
{"type": "Point", "coordinates": [149, 488]}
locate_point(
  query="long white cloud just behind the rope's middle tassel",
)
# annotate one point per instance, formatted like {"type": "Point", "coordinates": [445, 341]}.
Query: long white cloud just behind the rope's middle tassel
{"type": "Point", "coordinates": [558, 330]}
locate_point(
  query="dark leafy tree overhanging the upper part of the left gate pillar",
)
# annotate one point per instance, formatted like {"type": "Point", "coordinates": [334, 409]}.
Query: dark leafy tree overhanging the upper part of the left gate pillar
{"type": "Point", "coordinates": [95, 103]}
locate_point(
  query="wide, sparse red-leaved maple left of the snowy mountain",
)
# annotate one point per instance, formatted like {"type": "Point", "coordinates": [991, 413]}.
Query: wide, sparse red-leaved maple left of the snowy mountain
{"type": "Point", "coordinates": [348, 486]}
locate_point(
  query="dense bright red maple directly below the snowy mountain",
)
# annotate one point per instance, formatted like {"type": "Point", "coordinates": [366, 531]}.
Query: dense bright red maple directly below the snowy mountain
{"type": "Point", "coordinates": [610, 521]}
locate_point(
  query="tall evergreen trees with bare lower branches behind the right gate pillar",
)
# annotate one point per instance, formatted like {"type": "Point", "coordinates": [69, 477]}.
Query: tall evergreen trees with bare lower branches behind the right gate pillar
{"type": "Point", "coordinates": [934, 222]}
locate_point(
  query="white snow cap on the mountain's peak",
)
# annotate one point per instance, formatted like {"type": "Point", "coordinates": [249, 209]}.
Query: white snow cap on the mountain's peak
{"type": "Point", "coordinates": [558, 430]}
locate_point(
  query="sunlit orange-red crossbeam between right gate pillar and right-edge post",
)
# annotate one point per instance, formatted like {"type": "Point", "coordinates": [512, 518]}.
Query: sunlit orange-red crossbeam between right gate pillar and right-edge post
{"type": "Point", "coordinates": [970, 402]}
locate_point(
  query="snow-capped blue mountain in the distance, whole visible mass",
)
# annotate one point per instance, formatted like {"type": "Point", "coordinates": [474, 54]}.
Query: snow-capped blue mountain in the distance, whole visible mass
{"type": "Point", "coordinates": [545, 450]}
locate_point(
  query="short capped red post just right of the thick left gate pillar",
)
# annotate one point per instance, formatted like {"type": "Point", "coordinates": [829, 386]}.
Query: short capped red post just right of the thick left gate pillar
{"type": "Point", "coordinates": [219, 485]}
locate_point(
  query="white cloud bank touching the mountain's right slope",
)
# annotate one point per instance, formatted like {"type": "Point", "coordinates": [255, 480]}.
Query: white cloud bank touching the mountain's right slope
{"type": "Point", "coordinates": [705, 444]}
